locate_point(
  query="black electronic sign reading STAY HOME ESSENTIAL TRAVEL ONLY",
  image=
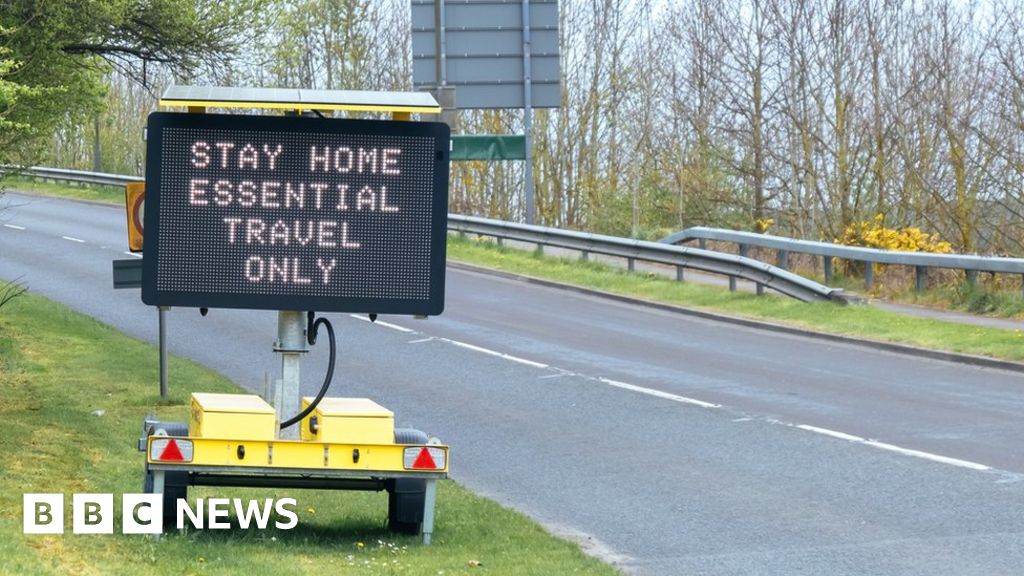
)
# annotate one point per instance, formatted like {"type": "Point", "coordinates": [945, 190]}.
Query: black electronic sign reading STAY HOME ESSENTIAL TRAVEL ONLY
{"type": "Point", "coordinates": [295, 214]}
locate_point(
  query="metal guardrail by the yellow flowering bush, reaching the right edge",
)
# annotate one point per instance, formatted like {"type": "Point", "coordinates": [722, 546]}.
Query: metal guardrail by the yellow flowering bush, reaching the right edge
{"type": "Point", "coordinates": [920, 261]}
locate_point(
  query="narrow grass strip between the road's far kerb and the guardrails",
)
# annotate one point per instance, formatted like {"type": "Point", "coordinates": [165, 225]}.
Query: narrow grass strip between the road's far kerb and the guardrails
{"type": "Point", "coordinates": [860, 321]}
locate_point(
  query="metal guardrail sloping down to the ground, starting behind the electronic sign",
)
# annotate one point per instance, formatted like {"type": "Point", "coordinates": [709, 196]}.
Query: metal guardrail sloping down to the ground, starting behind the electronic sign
{"type": "Point", "coordinates": [679, 257]}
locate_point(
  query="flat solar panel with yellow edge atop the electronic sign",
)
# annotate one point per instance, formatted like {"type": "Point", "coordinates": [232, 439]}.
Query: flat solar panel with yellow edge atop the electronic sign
{"type": "Point", "coordinates": [293, 99]}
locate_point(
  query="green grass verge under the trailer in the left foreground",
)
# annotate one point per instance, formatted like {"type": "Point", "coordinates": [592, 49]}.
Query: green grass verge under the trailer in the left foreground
{"type": "Point", "coordinates": [59, 367]}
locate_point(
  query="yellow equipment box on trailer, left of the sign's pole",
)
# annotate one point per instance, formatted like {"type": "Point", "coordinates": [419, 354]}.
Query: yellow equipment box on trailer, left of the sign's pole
{"type": "Point", "coordinates": [242, 417]}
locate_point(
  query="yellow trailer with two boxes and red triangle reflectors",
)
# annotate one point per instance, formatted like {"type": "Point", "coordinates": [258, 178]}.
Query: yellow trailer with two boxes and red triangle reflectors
{"type": "Point", "coordinates": [231, 441]}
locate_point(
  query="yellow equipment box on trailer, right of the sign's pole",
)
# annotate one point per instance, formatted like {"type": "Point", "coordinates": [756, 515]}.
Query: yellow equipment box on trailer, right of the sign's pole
{"type": "Point", "coordinates": [349, 421]}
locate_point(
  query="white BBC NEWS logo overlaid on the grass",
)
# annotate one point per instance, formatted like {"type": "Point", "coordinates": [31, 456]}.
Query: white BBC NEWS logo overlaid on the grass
{"type": "Point", "coordinates": [144, 514]}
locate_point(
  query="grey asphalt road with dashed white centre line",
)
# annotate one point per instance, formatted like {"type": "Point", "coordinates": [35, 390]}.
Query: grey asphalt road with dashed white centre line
{"type": "Point", "coordinates": [668, 444]}
